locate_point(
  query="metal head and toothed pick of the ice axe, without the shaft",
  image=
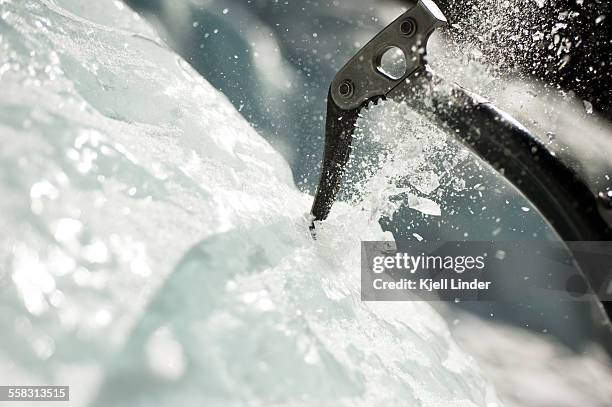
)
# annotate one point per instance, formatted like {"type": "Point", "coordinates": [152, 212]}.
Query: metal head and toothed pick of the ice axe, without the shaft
{"type": "Point", "coordinates": [362, 80]}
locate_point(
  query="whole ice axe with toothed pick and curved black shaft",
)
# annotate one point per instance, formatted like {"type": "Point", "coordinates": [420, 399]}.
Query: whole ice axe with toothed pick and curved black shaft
{"type": "Point", "coordinates": [555, 189]}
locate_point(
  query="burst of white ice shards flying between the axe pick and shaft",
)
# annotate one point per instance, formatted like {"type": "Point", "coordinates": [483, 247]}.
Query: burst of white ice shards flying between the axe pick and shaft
{"type": "Point", "coordinates": [394, 148]}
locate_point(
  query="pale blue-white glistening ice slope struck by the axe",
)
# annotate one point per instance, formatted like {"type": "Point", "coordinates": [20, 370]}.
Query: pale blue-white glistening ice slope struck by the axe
{"type": "Point", "coordinates": [155, 250]}
